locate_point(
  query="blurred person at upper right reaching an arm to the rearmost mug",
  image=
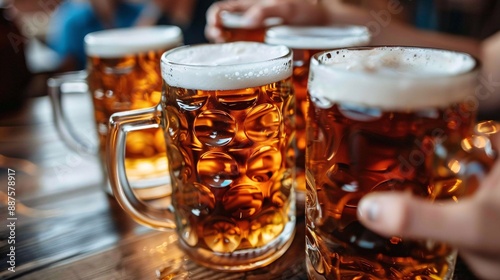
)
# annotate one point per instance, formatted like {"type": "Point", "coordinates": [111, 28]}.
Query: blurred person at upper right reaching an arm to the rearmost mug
{"type": "Point", "coordinates": [462, 25]}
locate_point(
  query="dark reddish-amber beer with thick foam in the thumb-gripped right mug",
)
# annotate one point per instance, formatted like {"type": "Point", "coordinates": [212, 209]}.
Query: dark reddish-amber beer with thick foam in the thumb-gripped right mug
{"type": "Point", "coordinates": [382, 119]}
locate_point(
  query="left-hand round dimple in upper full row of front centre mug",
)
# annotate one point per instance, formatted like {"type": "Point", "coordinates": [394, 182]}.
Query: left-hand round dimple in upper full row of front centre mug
{"type": "Point", "coordinates": [215, 128]}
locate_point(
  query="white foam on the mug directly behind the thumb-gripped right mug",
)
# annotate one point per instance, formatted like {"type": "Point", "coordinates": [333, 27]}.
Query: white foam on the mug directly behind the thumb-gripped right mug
{"type": "Point", "coordinates": [318, 37]}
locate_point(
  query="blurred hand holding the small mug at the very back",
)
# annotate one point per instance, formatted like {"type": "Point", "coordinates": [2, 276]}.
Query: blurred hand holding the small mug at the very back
{"type": "Point", "coordinates": [255, 12]}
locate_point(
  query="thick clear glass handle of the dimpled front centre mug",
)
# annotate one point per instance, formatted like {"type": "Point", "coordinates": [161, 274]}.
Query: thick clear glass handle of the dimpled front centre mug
{"type": "Point", "coordinates": [119, 125]}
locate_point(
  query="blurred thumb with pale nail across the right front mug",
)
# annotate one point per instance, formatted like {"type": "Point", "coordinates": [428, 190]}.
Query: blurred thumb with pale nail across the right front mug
{"type": "Point", "coordinates": [400, 214]}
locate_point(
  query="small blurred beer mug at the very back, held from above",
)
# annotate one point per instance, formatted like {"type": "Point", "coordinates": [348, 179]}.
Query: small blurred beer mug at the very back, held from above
{"type": "Point", "coordinates": [236, 28]}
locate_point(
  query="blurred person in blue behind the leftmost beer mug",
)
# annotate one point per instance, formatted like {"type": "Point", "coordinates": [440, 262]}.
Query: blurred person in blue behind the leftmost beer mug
{"type": "Point", "coordinates": [76, 18]}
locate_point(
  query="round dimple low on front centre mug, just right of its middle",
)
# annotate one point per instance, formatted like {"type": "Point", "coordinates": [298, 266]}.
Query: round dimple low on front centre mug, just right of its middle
{"type": "Point", "coordinates": [243, 201]}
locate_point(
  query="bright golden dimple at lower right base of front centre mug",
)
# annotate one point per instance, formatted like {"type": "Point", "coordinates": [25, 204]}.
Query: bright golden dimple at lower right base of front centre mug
{"type": "Point", "coordinates": [266, 227]}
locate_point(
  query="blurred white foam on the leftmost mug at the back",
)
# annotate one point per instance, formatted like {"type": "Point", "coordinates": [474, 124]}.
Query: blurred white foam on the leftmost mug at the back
{"type": "Point", "coordinates": [114, 43]}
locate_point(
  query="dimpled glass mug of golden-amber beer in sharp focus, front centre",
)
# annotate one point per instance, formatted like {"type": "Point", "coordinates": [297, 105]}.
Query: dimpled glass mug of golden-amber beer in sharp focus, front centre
{"type": "Point", "coordinates": [227, 113]}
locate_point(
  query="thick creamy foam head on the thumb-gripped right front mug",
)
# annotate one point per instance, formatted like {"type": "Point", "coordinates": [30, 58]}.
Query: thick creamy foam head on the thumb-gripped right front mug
{"type": "Point", "coordinates": [392, 78]}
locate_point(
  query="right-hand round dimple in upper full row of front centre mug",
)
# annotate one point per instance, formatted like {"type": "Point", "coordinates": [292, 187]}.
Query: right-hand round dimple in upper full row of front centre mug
{"type": "Point", "coordinates": [263, 122]}
